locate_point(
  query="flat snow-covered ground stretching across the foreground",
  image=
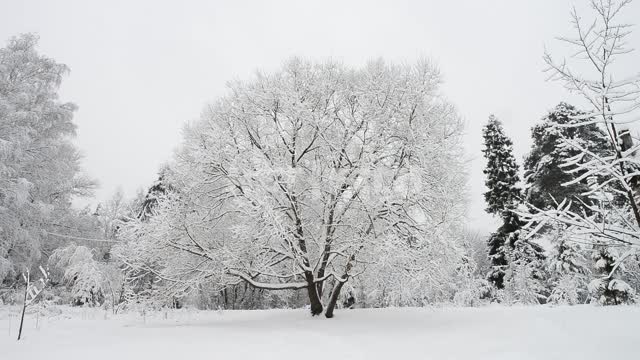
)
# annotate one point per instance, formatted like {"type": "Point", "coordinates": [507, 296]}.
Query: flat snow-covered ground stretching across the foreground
{"type": "Point", "coordinates": [582, 332]}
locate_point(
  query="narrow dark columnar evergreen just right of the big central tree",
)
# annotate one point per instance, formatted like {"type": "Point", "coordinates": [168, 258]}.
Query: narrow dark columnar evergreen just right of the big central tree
{"type": "Point", "coordinates": [501, 170]}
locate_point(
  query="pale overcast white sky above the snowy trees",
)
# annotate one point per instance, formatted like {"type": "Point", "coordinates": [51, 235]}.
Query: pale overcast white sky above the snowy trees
{"type": "Point", "coordinates": [140, 69]}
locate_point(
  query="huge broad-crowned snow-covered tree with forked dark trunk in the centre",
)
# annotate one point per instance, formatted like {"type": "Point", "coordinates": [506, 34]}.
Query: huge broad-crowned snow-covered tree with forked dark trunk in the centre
{"type": "Point", "coordinates": [302, 178]}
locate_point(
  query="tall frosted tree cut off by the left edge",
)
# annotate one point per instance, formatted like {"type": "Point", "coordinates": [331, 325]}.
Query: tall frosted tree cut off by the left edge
{"type": "Point", "coordinates": [39, 165]}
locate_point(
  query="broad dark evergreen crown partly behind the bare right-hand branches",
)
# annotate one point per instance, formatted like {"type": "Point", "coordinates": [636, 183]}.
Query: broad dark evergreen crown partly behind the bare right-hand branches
{"type": "Point", "coordinates": [544, 176]}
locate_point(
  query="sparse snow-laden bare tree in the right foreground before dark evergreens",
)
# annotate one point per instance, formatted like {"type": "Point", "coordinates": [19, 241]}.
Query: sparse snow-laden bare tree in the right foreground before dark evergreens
{"type": "Point", "coordinates": [606, 215]}
